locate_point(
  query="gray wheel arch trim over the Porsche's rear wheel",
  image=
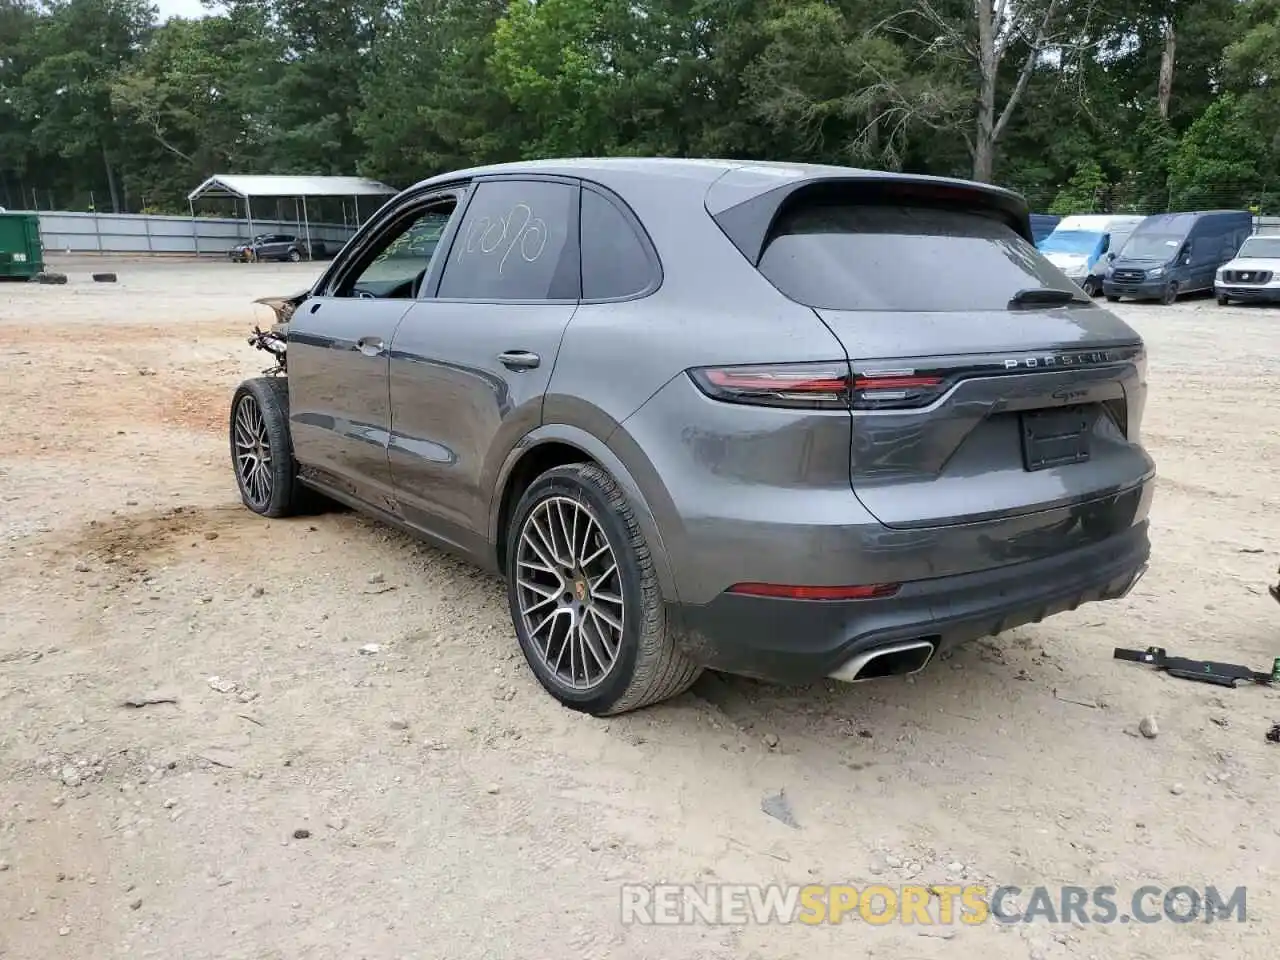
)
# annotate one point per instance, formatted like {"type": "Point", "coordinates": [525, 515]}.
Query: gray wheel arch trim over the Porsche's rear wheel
{"type": "Point", "coordinates": [556, 445]}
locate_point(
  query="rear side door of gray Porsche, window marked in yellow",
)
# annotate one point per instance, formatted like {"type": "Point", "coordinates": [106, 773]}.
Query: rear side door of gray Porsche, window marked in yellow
{"type": "Point", "coordinates": [472, 362]}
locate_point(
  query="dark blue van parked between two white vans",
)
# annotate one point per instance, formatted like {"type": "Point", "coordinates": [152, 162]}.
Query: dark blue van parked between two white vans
{"type": "Point", "coordinates": [1169, 255]}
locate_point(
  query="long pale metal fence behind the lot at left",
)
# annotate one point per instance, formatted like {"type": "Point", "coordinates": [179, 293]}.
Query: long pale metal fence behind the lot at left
{"type": "Point", "coordinates": [135, 234]}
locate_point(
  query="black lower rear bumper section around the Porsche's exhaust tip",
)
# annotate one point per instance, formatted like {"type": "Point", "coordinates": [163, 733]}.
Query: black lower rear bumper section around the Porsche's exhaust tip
{"type": "Point", "coordinates": [798, 642]}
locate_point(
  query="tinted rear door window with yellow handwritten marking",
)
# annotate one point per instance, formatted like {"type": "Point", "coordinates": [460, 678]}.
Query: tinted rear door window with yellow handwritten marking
{"type": "Point", "coordinates": [518, 241]}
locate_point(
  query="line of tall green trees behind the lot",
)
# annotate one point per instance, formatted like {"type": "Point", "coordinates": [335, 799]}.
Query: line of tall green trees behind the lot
{"type": "Point", "coordinates": [1084, 107]}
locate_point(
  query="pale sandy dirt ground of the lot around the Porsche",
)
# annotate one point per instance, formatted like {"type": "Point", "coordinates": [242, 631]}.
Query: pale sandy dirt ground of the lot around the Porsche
{"type": "Point", "coordinates": [301, 798]}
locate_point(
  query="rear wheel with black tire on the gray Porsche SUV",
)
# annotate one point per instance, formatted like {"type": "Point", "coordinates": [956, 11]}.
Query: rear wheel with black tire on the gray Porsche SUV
{"type": "Point", "coordinates": [584, 597]}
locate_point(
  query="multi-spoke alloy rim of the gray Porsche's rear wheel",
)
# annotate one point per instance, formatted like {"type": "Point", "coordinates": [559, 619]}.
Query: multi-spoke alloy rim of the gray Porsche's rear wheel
{"type": "Point", "coordinates": [570, 593]}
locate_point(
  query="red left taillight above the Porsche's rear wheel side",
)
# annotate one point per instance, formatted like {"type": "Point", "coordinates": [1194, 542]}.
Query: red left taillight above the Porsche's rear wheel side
{"type": "Point", "coordinates": [829, 386]}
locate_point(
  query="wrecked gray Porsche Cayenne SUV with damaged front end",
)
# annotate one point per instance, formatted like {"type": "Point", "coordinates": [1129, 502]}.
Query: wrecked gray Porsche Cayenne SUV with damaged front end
{"type": "Point", "coordinates": [778, 420]}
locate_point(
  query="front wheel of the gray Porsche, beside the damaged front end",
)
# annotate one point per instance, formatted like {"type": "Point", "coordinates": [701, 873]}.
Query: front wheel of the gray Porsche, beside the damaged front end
{"type": "Point", "coordinates": [263, 450]}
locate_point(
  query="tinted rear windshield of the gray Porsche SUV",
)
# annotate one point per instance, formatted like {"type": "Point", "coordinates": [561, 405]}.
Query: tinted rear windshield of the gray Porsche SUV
{"type": "Point", "coordinates": [861, 257]}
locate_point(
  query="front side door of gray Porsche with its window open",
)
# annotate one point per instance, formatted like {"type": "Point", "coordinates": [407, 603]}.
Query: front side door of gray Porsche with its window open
{"type": "Point", "coordinates": [340, 349]}
